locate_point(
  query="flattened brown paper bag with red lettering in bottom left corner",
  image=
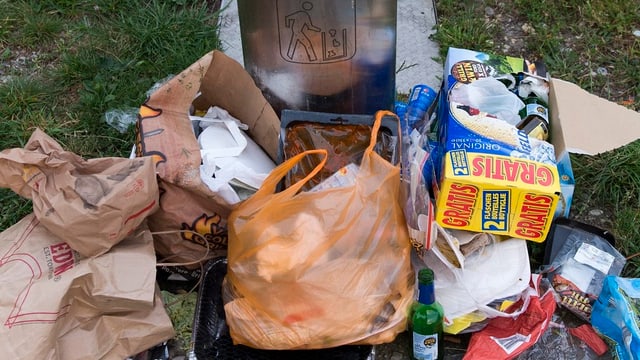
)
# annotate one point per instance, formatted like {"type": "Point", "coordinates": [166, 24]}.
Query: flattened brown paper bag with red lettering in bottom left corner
{"type": "Point", "coordinates": [57, 304]}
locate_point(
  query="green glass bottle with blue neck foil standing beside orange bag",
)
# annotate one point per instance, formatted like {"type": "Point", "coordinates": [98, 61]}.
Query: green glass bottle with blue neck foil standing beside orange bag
{"type": "Point", "coordinates": [427, 320]}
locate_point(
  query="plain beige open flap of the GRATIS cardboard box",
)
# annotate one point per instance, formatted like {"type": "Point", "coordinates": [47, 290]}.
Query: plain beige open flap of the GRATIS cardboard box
{"type": "Point", "coordinates": [590, 124]}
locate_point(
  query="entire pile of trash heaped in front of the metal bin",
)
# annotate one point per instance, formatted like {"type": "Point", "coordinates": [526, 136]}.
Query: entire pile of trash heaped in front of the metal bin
{"type": "Point", "coordinates": [321, 234]}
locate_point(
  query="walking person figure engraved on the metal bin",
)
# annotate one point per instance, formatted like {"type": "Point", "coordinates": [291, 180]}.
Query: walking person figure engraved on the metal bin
{"type": "Point", "coordinates": [300, 22]}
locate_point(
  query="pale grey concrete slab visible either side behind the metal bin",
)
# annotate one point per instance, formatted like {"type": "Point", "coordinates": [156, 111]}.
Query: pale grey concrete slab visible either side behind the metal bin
{"type": "Point", "coordinates": [415, 52]}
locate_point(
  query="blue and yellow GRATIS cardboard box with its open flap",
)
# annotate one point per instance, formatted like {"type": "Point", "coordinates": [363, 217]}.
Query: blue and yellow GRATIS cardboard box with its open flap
{"type": "Point", "coordinates": [489, 183]}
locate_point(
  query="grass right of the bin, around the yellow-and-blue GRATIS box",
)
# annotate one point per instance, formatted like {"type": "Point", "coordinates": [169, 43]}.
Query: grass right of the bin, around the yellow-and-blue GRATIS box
{"type": "Point", "coordinates": [591, 44]}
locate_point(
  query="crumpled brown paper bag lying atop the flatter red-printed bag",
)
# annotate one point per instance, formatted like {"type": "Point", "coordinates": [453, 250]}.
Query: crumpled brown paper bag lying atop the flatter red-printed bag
{"type": "Point", "coordinates": [91, 204]}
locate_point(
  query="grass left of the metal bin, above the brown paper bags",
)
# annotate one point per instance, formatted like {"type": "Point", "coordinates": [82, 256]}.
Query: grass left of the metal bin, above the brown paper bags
{"type": "Point", "coordinates": [64, 64]}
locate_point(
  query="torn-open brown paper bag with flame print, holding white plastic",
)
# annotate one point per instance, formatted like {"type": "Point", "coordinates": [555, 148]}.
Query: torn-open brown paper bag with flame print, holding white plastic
{"type": "Point", "coordinates": [164, 132]}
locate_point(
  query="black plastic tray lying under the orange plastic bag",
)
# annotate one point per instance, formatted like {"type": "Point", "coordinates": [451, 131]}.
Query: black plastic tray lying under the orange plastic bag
{"type": "Point", "coordinates": [211, 334]}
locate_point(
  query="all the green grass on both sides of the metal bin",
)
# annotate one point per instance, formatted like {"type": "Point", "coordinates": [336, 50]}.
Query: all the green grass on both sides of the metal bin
{"type": "Point", "coordinates": [66, 63]}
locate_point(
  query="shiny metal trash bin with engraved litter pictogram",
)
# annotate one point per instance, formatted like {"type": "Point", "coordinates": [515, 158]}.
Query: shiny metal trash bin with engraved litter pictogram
{"type": "Point", "coordinates": [321, 55]}
